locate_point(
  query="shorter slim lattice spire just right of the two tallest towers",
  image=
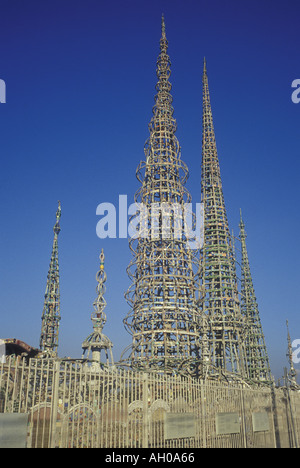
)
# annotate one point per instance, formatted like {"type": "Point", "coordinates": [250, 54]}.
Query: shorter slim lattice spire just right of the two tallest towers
{"type": "Point", "coordinates": [257, 360]}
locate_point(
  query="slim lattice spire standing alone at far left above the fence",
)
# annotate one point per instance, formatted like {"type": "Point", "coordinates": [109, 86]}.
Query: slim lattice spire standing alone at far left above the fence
{"type": "Point", "coordinates": [51, 310]}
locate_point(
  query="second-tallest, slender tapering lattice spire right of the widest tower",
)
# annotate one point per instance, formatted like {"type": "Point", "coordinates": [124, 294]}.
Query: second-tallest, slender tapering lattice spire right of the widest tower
{"type": "Point", "coordinates": [223, 325]}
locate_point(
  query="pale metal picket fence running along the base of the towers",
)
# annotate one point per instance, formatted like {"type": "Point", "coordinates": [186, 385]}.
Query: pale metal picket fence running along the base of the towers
{"type": "Point", "coordinates": [68, 406]}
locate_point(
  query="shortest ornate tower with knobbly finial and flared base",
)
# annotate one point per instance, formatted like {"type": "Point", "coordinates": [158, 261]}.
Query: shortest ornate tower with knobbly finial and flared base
{"type": "Point", "coordinates": [97, 342]}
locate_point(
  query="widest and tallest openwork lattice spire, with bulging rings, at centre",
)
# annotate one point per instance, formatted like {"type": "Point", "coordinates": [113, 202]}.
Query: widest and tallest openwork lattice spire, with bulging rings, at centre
{"type": "Point", "coordinates": [164, 317]}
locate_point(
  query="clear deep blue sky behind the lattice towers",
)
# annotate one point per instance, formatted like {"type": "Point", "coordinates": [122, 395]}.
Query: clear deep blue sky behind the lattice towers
{"type": "Point", "coordinates": [80, 79]}
